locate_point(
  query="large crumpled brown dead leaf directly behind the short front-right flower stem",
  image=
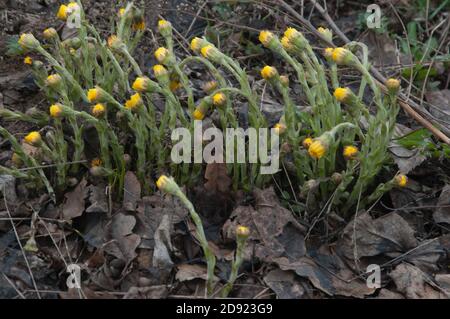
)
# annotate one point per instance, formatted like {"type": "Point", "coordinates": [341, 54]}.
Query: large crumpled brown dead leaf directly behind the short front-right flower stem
{"type": "Point", "coordinates": [274, 232]}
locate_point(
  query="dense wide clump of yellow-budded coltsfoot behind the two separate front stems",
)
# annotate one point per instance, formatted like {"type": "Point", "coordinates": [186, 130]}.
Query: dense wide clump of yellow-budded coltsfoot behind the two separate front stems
{"type": "Point", "coordinates": [333, 148]}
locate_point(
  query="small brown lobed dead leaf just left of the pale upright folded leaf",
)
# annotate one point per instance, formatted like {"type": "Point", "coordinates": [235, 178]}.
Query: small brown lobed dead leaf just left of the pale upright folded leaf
{"type": "Point", "coordinates": [122, 241]}
